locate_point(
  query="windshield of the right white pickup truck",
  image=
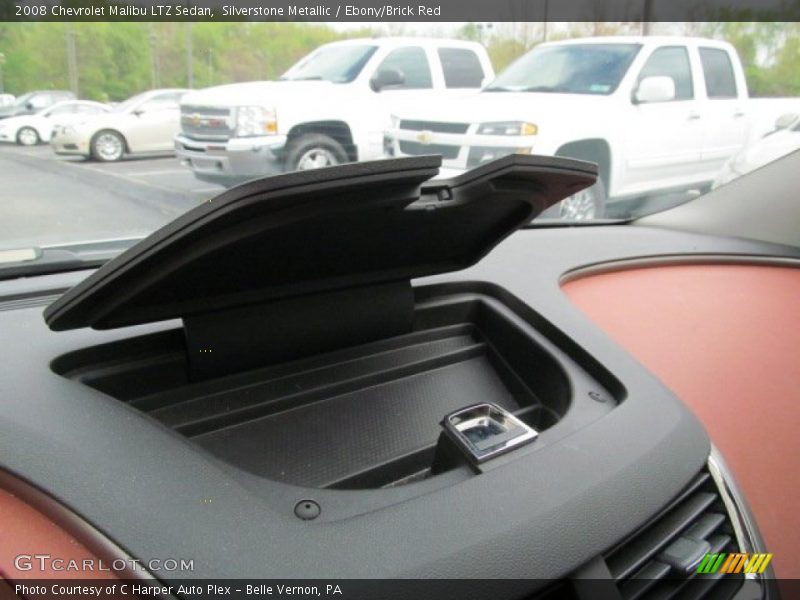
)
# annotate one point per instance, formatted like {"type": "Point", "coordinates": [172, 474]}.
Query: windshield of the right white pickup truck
{"type": "Point", "coordinates": [570, 69]}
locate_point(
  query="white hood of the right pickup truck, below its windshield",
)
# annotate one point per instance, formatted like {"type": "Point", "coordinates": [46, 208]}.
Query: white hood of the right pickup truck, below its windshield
{"type": "Point", "coordinates": [505, 106]}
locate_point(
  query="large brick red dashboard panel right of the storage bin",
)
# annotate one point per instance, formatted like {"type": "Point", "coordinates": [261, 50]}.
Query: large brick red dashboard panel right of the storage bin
{"type": "Point", "coordinates": [726, 339]}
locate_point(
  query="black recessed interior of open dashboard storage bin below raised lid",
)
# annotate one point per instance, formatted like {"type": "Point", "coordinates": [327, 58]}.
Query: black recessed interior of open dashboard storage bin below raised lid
{"type": "Point", "coordinates": [361, 417]}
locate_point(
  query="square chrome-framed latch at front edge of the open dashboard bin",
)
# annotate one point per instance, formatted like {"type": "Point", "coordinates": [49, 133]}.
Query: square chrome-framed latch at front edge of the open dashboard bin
{"type": "Point", "coordinates": [484, 431]}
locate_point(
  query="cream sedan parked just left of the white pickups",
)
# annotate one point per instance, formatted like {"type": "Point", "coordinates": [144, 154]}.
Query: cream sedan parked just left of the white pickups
{"type": "Point", "coordinates": [146, 122]}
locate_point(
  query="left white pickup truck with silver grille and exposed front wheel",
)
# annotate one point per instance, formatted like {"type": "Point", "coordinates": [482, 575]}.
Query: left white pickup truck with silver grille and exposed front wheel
{"type": "Point", "coordinates": [331, 107]}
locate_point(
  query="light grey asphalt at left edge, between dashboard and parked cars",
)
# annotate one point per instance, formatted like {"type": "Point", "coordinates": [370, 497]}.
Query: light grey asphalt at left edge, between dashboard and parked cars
{"type": "Point", "coordinates": [46, 199]}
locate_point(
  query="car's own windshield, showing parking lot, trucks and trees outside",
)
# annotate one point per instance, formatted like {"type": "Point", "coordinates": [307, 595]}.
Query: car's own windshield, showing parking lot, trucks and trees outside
{"type": "Point", "coordinates": [667, 111]}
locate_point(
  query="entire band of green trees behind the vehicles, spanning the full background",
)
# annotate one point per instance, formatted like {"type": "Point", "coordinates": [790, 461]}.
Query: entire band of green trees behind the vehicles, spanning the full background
{"type": "Point", "coordinates": [117, 60]}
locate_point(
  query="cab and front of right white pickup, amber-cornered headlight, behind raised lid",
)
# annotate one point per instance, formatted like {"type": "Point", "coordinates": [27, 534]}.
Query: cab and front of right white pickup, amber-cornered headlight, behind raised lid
{"type": "Point", "coordinates": [658, 114]}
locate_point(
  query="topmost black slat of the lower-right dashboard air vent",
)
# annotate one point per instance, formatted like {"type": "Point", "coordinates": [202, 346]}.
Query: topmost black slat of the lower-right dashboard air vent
{"type": "Point", "coordinates": [633, 555]}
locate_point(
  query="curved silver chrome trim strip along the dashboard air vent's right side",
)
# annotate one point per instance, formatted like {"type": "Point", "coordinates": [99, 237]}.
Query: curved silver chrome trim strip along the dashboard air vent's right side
{"type": "Point", "coordinates": [748, 538]}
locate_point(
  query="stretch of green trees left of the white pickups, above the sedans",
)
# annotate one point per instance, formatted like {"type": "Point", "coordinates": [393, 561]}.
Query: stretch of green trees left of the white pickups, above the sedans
{"type": "Point", "coordinates": [117, 60]}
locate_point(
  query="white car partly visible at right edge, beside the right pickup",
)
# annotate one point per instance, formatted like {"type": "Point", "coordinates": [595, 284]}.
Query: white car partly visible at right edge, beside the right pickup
{"type": "Point", "coordinates": [782, 140]}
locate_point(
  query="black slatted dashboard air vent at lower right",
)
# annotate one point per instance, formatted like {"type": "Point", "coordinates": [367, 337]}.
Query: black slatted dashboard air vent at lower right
{"type": "Point", "coordinates": [660, 560]}
